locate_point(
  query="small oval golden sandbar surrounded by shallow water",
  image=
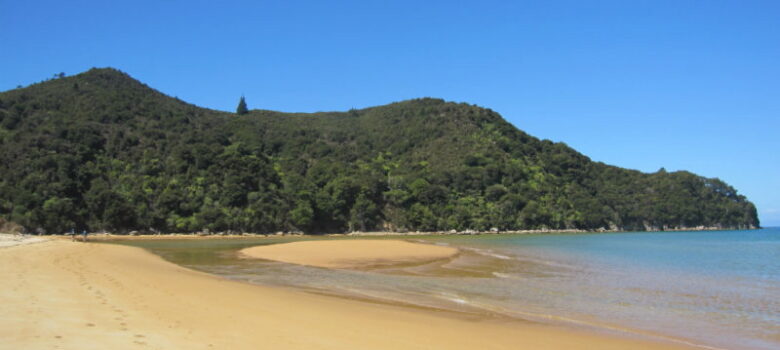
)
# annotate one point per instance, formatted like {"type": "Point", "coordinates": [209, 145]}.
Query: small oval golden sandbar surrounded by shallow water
{"type": "Point", "coordinates": [351, 254]}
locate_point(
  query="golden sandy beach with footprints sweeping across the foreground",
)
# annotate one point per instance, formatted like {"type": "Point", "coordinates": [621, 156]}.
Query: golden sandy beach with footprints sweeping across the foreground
{"type": "Point", "coordinates": [70, 295]}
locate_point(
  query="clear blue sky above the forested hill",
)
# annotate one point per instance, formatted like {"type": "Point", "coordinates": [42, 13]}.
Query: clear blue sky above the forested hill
{"type": "Point", "coordinates": [691, 85]}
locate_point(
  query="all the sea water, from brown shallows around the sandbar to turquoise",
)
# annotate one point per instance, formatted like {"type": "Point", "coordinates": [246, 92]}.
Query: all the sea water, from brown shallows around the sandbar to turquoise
{"type": "Point", "coordinates": [710, 289]}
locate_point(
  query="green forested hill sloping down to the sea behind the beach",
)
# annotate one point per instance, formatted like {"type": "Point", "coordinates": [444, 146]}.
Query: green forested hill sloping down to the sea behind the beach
{"type": "Point", "coordinates": [102, 151]}
